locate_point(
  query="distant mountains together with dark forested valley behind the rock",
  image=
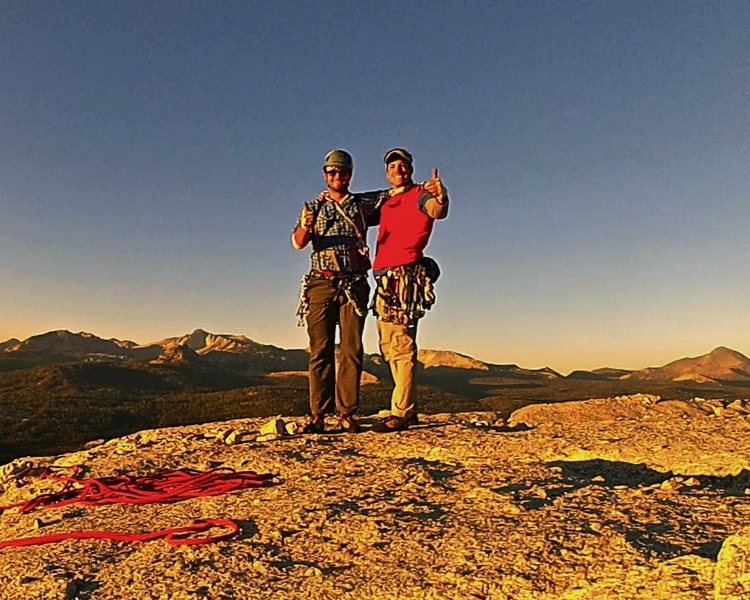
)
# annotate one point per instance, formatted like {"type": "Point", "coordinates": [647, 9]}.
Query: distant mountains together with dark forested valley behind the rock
{"type": "Point", "coordinates": [61, 389]}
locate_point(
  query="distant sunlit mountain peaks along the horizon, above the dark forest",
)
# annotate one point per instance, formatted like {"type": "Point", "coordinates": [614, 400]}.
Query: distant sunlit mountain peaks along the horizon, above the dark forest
{"type": "Point", "coordinates": [719, 365]}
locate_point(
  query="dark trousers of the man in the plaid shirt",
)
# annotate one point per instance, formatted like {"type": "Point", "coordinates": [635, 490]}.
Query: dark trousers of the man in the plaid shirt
{"type": "Point", "coordinates": [330, 306]}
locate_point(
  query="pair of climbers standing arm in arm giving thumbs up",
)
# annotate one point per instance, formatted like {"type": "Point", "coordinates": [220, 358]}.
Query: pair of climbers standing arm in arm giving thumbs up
{"type": "Point", "coordinates": [335, 291]}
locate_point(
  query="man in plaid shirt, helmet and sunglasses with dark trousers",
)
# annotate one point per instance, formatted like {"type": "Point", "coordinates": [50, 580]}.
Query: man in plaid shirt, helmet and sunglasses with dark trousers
{"type": "Point", "coordinates": [335, 291]}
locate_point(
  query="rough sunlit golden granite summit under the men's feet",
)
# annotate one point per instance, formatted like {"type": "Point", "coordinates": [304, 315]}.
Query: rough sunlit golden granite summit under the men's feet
{"type": "Point", "coordinates": [628, 497]}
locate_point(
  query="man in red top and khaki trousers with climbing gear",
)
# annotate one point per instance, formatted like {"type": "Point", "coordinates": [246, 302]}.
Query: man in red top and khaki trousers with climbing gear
{"type": "Point", "coordinates": [404, 277]}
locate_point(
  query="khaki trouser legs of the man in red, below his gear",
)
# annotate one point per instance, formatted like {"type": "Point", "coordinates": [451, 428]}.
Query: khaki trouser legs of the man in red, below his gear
{"type": "Point", "coordinates": [398, 345]}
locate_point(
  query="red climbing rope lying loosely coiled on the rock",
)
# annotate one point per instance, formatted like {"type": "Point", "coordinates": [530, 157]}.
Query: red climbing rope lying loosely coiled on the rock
{"type": "Point", "coordinates": [165, 487]}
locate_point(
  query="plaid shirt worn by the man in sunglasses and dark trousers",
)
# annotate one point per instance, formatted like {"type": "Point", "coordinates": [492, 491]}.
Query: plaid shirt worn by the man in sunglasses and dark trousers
{"type": "Point", "coordinates": [337, 247]}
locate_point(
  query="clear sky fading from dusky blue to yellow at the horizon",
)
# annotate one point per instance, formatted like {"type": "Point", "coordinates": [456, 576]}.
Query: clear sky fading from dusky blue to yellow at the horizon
{"type": "Point", "coordinates": [154, 156]}
